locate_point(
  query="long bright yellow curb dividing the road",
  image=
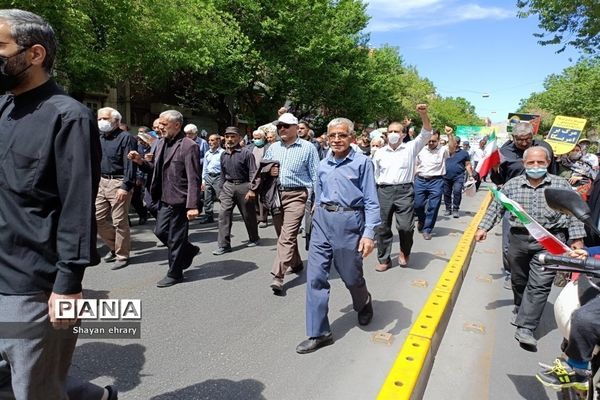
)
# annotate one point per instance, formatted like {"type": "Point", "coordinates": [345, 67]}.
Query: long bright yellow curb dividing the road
{"type": "Point", "coordinates": [409, 375]}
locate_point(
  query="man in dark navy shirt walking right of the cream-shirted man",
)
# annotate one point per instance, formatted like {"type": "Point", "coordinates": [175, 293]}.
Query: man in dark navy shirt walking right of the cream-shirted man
{"type": "Point", "coordinates": [457, 163]}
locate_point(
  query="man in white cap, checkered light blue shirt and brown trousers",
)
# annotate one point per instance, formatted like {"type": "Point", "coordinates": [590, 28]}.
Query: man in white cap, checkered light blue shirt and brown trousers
{"type": "Point", "coordinates": [297, 174]}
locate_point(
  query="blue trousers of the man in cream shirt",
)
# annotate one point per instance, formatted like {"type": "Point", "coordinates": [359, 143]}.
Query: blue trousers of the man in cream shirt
{"type": "Point", "coordinates": [428, 197]}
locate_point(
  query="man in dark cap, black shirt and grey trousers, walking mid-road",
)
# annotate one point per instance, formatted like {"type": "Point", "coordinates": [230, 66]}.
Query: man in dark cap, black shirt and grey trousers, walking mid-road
{"type": "Point", "coordinates": [237, 168]}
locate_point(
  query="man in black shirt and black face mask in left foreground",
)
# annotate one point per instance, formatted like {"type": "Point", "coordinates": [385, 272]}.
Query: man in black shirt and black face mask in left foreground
{"type": "Point", "coordinates": [49, 173]}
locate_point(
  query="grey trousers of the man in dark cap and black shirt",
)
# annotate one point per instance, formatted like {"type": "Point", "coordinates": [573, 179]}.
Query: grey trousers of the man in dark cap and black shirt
{"type": "Point", "coordinates": [233, 195]}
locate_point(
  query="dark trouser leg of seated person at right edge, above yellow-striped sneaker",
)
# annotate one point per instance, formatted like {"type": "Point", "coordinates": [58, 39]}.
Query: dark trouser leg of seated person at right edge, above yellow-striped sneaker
{"type": "Point", "coordinates": [585, 331]}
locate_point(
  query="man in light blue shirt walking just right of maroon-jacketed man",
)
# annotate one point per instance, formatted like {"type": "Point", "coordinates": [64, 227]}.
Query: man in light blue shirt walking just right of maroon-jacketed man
{"type": "Point", "coordinates": [211, 177]}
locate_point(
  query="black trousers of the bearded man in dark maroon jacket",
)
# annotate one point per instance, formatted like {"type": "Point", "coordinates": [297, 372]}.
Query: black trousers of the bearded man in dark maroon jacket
{"type": "Point", "coordinates": [172, 230]}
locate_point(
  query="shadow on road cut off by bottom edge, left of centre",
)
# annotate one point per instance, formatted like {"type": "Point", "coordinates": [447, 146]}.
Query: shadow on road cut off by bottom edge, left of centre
{"type": "Point", "coordinates": [218, 389]}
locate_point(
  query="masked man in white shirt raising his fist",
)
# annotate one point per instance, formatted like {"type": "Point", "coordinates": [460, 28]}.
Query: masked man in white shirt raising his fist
{"type": "Point", "coordinates": [394, 173]}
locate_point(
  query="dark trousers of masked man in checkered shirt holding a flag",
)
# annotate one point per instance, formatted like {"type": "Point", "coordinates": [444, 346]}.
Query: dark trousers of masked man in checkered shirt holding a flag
{"type": "Point", "coordinates": [531, 285]}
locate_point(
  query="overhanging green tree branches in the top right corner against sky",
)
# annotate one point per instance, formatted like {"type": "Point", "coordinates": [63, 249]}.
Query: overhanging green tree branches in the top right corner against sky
{"type": "Point", "coordinates": [567, 22]}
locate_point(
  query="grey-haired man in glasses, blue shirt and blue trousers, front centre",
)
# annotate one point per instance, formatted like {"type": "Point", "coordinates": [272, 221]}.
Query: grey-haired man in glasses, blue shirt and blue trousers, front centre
{"type": "Point", "coordinates": [345, 217]}
